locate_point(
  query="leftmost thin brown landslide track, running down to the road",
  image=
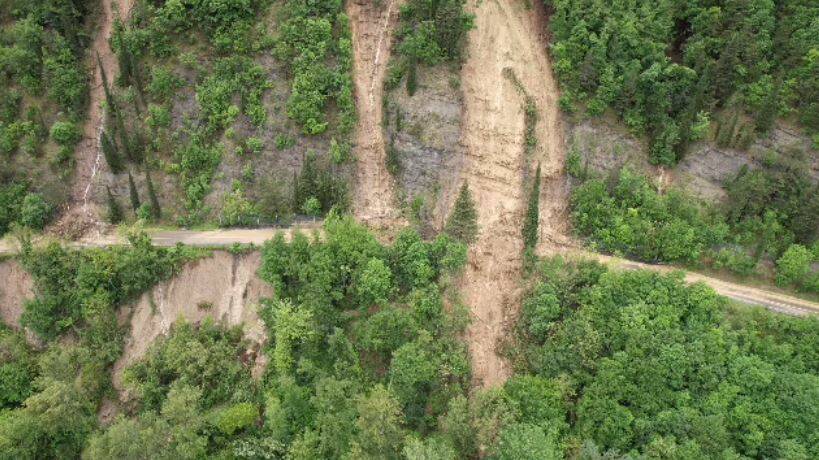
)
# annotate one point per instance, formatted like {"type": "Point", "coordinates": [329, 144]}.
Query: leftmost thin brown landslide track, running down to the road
{"type": "Point", "coordinates": [82, 214]}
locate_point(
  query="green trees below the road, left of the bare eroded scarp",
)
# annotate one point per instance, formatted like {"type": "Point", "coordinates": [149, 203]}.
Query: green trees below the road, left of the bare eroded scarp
{"type": "Point", "coordinates": [50, 398]}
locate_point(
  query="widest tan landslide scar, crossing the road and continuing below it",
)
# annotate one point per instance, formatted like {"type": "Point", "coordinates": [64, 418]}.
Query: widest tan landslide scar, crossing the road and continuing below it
{"type": "Point", "coordinates": [506, 36]}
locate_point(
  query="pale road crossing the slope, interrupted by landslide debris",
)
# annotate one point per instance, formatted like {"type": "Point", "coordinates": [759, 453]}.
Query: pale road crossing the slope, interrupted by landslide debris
{"type": "Point", "coordinates": [774, 301]}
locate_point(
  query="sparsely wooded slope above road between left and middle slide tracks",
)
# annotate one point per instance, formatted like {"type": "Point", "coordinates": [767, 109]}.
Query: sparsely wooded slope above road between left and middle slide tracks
{"type": "Point", "coordinates": [175, 54]}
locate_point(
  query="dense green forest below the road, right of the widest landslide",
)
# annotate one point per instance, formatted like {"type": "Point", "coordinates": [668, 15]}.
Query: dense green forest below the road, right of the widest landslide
{"type": "Point", "coordinates": [636, 363]}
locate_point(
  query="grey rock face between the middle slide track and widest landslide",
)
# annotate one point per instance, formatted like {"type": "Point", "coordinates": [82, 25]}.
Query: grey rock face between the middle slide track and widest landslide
{"type": "Point", "coordinates": [424, 133]}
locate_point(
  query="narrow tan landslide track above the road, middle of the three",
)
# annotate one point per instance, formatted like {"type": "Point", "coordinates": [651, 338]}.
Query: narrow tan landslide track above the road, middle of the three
{"type": "Point", "coordinates": [372, 25]}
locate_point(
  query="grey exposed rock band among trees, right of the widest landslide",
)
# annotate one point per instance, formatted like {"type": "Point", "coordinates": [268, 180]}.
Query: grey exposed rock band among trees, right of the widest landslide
{"type": "Point", "coordinates": [605, 146]}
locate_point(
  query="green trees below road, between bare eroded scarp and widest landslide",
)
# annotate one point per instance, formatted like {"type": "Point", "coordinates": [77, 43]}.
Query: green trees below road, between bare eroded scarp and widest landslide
{"type": "Point", "coordinates": [363, 361]}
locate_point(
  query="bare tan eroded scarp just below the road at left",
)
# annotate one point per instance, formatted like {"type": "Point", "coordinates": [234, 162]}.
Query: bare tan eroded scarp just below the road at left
{"type": "Point", "coordinates": [223, 287]}
